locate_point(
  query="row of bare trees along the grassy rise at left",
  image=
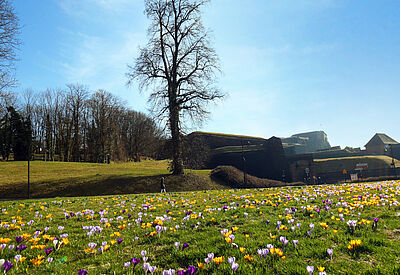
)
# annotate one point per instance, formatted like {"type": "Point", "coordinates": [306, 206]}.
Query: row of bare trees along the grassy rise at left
{"type": "Point", "coordinates": [74, 124]}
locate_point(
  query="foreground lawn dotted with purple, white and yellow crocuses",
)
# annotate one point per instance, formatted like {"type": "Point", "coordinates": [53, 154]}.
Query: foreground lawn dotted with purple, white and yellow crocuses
{"type": "Point", "coordinates": [345, 229]}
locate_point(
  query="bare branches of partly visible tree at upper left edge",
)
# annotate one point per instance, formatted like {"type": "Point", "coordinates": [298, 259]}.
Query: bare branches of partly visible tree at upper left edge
{"type": "Point", "coordinates": [9, 42]}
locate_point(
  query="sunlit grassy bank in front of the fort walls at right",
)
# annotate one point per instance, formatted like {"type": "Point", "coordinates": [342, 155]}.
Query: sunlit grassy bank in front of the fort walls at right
{"type": "Point", "coordinates": [349, 163]}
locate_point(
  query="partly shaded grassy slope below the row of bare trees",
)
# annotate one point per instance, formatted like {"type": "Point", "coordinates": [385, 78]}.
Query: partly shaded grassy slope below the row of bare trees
{"type": "Point", "coordinates": [49, 179]}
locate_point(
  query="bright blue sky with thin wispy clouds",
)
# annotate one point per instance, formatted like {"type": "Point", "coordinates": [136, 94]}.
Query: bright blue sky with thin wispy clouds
{"type": "Point", "coordinates": [288, 66]}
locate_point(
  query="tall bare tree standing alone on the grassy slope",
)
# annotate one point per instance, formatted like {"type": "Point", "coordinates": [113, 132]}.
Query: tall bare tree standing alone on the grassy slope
{"type": "Point", "coordinates": [179, 65]}
